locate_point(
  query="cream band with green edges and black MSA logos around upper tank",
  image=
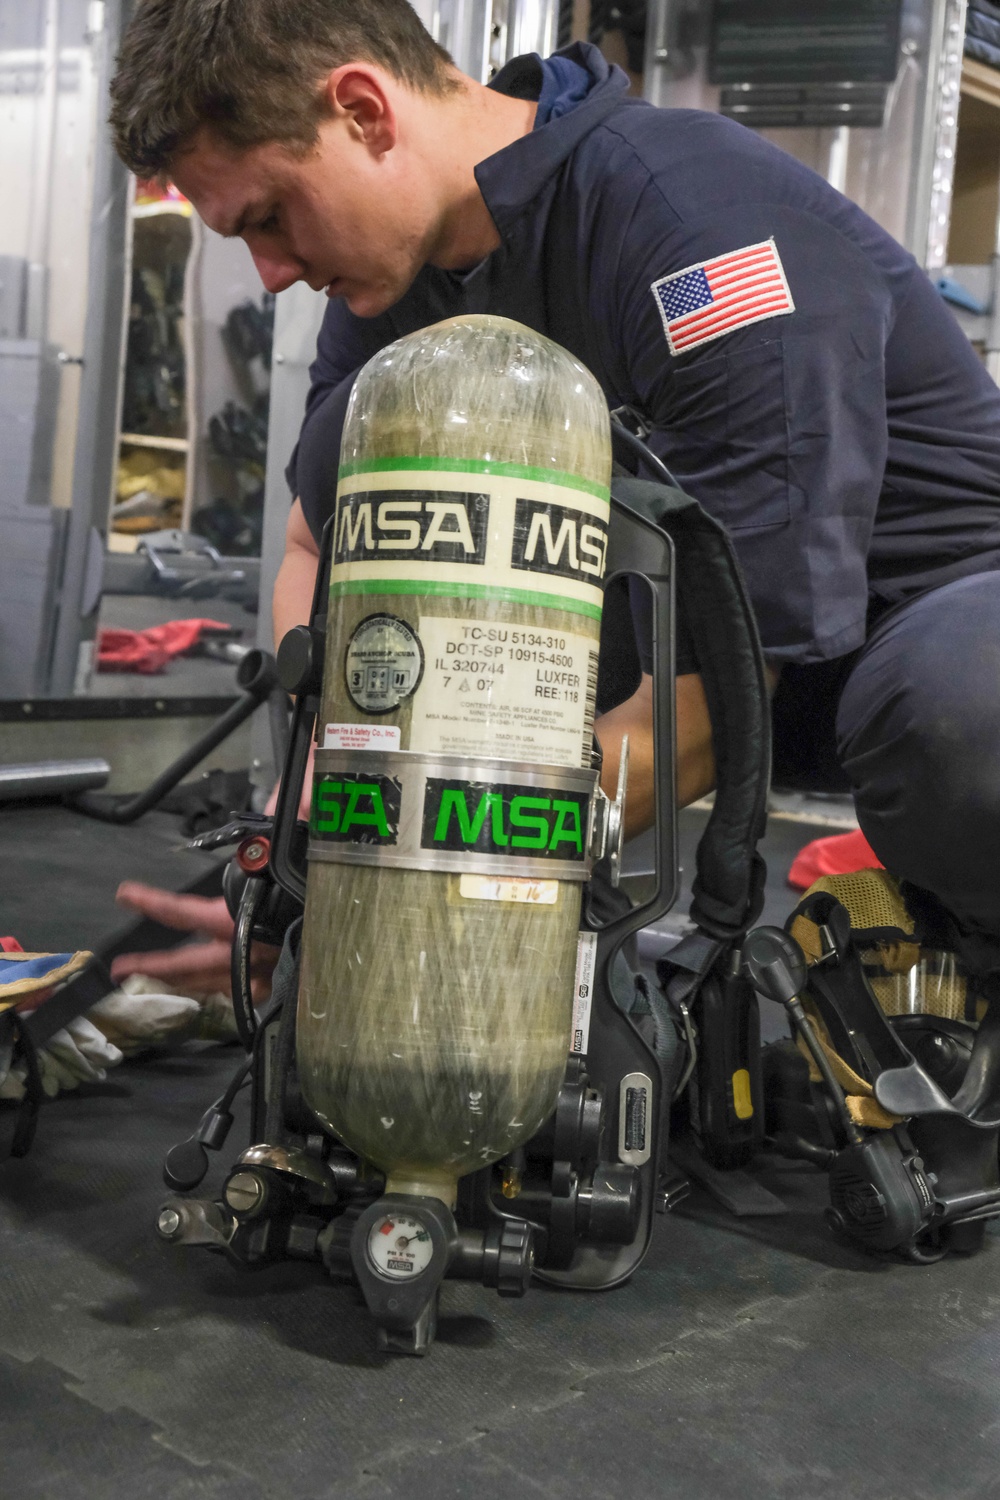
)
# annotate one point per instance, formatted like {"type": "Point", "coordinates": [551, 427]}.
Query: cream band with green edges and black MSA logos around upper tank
{"type": "Point", "coordinates": [470, 535]}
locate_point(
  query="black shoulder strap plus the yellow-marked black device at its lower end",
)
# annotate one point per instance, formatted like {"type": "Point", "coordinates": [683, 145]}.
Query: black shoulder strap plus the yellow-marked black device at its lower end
{"type": "Point", "coordinates": [728, 890]}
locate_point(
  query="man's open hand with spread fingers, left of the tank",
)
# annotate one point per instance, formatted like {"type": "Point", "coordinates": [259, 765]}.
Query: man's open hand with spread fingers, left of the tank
{"type": "Point", "coordinates": [191, 968]}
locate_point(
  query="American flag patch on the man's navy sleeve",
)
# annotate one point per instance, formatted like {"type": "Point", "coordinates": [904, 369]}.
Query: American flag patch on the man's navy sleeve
{"type": "Point", "coordinates": [720, 296]}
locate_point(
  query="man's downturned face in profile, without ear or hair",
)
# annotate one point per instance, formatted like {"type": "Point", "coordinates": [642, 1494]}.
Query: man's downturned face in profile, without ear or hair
{"type": "Point", "coordinates": [343, 218]}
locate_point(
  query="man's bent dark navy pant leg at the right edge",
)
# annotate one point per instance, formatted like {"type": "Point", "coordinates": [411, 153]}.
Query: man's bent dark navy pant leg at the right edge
{"type": "Point", "coordinates": [918, 733]}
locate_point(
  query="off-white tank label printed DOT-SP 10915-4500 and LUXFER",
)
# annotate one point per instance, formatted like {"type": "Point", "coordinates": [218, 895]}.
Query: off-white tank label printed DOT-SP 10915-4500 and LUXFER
{"type": "Point", "coordinates": [504, 691]}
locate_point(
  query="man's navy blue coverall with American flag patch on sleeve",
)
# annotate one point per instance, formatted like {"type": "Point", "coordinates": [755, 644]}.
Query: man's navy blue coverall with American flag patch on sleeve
{"type": "Point", "coordinates": [804, 382]}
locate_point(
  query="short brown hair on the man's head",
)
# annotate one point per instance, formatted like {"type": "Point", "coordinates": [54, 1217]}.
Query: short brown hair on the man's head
{"type": "Point", "coordinates": [253, 70]}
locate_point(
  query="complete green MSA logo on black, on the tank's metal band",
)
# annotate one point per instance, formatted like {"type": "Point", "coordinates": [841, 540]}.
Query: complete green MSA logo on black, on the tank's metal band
{"type": "Point", "coordinates": [527, 823]}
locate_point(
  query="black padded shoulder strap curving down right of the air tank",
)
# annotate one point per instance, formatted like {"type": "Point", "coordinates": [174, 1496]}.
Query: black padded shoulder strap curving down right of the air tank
{"type": "Point", "coordinates": [714, 605]}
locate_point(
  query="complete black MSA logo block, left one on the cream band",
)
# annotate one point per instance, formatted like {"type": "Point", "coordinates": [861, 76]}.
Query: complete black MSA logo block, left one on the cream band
{"type": "Point", "coordinates": [419, 524]}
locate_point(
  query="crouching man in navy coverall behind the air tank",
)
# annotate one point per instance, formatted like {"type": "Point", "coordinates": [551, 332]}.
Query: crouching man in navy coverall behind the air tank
{"type": "Point", "coordinates": [797, 370]}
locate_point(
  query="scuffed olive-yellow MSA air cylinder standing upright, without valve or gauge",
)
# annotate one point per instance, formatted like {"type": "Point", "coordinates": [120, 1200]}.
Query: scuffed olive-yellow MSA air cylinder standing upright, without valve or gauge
{"type": "Point", "coordinates": [454, 784]}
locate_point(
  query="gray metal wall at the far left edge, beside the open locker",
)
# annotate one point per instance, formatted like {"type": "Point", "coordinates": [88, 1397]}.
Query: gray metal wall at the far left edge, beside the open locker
{"type": "Point", "coordinates": [62, 317]}
